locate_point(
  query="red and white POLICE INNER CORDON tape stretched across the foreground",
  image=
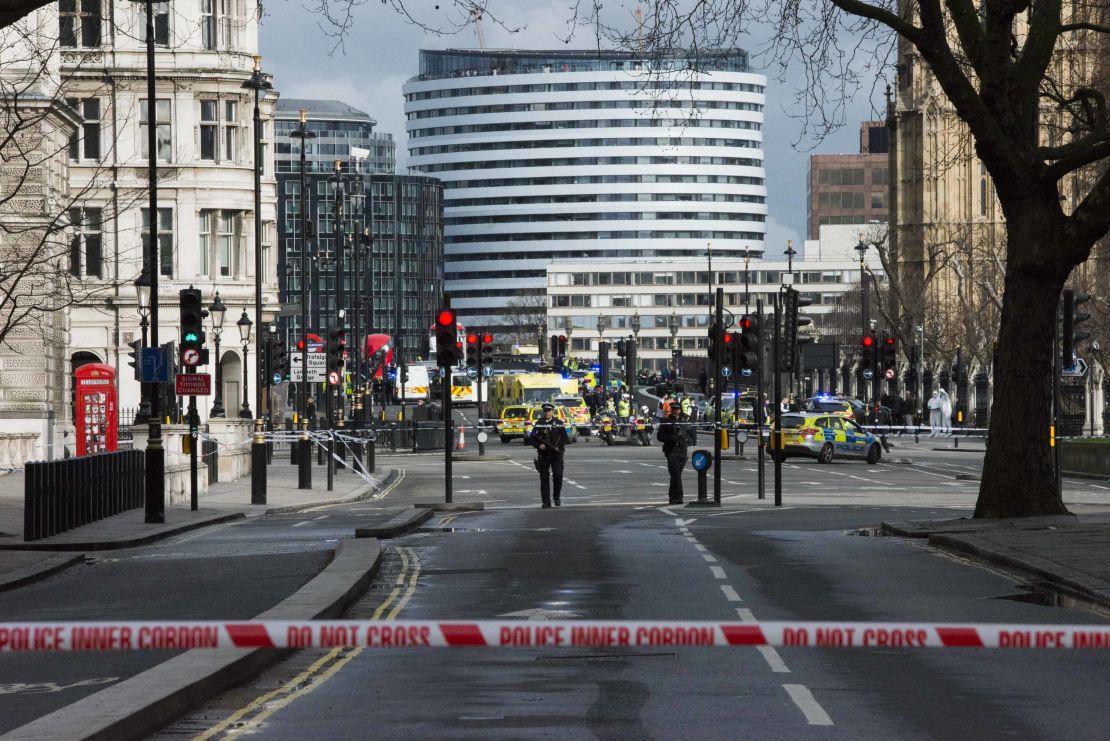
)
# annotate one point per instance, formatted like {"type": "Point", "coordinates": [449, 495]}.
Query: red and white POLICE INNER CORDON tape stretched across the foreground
{"type": "Point", "coordinates": [142, 636]}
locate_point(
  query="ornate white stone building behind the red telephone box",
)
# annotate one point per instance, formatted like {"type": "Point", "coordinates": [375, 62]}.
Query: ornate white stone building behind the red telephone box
{"type": "Point", "coordinates": [206, 53]}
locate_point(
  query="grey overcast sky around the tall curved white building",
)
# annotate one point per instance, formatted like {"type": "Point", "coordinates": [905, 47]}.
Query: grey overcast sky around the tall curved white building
{"type": "Point", "coordinates": [384, 53]}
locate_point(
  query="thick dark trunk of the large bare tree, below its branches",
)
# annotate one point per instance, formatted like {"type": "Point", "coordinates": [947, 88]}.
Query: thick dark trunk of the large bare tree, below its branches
{"type": "Point", "coordinates": [1018, 476]}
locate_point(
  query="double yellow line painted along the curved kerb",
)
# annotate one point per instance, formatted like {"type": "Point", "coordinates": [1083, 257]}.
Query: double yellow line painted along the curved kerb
{"type": "Point", "coordinates": [325, 668]}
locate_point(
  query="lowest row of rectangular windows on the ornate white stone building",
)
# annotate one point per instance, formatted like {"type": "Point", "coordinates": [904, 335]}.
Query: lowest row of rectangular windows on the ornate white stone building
{"type": "Point", "coordinates": [219, 235]}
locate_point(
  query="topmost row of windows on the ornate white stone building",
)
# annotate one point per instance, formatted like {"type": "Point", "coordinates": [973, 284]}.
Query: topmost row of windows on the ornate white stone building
{"type": "Point", "coordinates": [80, 24]}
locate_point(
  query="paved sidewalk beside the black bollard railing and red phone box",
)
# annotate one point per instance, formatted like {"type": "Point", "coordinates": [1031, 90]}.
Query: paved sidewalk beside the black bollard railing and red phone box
{"type": "Point", "coordinates": [23, 563]}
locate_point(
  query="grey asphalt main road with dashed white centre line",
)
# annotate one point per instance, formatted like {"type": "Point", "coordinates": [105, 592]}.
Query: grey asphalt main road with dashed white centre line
{"type": "Point", "coordinates": [615, 552]}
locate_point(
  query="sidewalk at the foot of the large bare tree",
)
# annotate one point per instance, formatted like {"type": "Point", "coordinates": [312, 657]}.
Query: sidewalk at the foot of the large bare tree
{"type": "Point", "coordinates": [1067, 555]}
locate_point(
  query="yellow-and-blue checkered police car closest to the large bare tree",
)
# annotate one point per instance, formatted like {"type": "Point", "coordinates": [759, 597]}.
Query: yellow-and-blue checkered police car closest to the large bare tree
{"type": "Point", "coordinates": [825, 438]}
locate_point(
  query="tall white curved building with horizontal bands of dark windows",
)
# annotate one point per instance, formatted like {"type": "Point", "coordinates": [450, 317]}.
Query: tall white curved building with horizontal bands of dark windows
{"type": "Point", "coordinates": [583, 155]}
